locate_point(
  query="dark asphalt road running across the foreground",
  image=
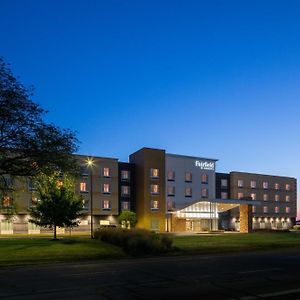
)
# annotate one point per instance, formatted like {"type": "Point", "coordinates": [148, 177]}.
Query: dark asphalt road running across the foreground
{"type": "Point", "coordinates": [245, 276]}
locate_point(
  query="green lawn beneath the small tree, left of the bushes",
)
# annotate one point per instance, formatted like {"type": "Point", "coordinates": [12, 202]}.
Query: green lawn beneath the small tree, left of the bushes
{"type": "Point", "coordinates": [14, 251]}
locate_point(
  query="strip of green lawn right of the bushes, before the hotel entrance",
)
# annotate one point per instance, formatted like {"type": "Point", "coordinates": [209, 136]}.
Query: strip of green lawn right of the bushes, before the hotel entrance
{"type": "Point", "coordinates": [236, 242]}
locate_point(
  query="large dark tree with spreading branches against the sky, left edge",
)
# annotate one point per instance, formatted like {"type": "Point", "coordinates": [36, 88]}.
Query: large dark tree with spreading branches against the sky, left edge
{"type": "Point", "coordinates": [29, 145]}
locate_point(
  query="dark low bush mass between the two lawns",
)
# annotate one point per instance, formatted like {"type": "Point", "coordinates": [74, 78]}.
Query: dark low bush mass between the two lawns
{"type": "Point", "coordinates": [136, 242]}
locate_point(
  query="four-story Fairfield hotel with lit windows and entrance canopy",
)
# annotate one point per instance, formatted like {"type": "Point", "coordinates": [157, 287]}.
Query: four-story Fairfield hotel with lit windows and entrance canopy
{"type": "Point", "coordinates": [168, 192]}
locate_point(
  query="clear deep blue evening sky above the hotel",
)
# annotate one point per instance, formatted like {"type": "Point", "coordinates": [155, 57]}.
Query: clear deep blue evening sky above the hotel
{"type": "Point", "coordinates": [215, 78]}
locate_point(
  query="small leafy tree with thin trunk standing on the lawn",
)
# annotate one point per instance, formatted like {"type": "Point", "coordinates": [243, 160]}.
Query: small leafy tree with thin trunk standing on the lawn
{"type": "Point", "coordinates": [58, 205]}
